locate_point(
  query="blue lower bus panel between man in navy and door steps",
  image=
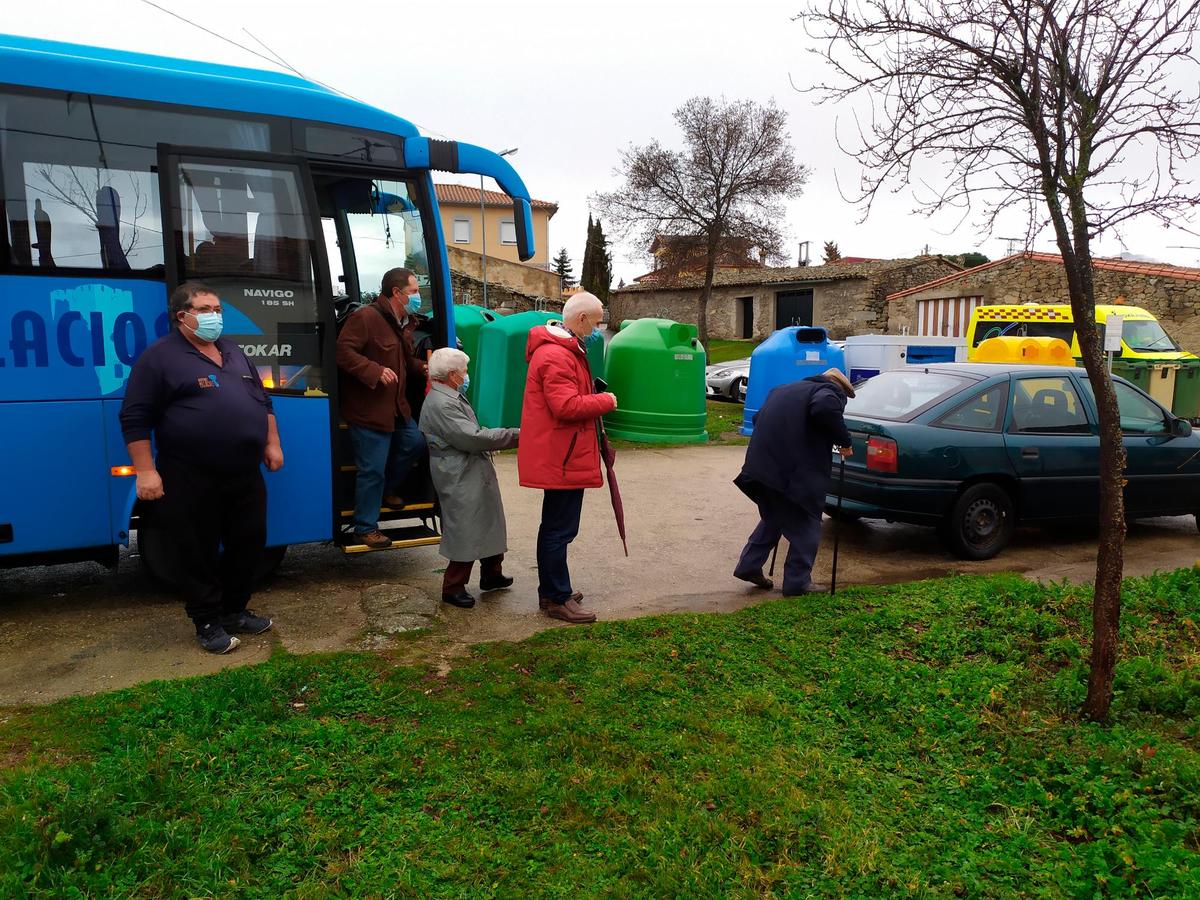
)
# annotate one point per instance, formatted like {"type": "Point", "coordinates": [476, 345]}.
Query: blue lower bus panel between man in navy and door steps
{"type": "Point", "coordinates": [301, 496]}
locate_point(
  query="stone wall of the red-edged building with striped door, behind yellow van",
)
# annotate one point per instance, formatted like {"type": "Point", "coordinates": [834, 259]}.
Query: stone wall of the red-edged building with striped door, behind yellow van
{"type": "Point", "coordinates": [1174, 302]}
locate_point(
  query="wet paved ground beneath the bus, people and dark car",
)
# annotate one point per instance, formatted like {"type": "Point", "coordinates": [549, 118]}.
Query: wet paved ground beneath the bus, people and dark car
{"type": "Point", "coordinates": [80, 629]}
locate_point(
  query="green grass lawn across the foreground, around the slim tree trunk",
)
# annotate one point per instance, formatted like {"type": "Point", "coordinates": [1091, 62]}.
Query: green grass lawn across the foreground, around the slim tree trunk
{"type": "Point", "coordinates": [919, 739]}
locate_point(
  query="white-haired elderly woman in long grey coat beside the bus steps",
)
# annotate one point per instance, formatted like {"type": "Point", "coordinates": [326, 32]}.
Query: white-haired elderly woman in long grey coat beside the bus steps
{"type": "Point", "coordinates": [461, 463]}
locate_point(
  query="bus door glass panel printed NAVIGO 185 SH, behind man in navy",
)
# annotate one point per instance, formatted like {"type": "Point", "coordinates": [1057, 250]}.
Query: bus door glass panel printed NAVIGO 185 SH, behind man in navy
{"type": "Point", "coordinates": [244, 231]}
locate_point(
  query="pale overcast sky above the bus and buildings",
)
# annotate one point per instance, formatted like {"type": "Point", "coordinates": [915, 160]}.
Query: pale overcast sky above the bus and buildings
{"type": "Point", "coordinates": [567, 83]}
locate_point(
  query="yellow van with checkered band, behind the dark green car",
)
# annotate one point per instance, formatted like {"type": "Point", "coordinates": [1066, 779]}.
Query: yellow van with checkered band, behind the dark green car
{"type": "Point", "coordinates": [1142, 337]}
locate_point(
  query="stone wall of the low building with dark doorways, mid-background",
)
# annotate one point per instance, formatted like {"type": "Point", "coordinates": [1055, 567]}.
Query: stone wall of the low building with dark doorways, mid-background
{"type": "Point", "coordinates": [849, 307]}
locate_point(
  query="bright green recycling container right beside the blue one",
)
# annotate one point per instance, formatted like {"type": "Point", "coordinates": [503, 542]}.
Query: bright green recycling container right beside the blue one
{"type": "Point", "coordinates": [657, 370]}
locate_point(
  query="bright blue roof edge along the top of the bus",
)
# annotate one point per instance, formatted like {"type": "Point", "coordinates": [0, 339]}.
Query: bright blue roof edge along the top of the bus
{"type": "Point", "coordinates": [137, 76]}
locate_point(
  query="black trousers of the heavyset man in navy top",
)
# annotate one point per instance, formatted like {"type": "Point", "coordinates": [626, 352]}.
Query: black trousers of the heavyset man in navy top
{"type": "Point", "coordinates": [217, 524]}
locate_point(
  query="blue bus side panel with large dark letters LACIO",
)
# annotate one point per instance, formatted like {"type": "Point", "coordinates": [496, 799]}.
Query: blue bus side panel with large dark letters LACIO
{"type": "Point", "coordinates": [75, 339]}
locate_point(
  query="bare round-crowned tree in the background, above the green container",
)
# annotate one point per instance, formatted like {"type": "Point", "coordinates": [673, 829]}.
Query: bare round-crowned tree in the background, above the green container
{"type": "Point", "coordinates": [724, 188]}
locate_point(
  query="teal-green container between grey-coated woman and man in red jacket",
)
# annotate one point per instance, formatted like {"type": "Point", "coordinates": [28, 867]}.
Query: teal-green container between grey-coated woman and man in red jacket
{"type": "Point", "coordinates": [499, 389]}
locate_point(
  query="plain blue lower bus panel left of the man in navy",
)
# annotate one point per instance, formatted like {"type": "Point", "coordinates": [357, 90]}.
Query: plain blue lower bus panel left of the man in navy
{"type": "Point", "coordinates": [55, 491]}
